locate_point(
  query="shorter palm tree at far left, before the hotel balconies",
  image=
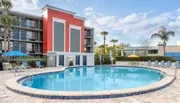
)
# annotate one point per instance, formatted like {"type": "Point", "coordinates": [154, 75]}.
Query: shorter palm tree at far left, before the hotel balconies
{"type": "Point", "coordinates": [8, 21]}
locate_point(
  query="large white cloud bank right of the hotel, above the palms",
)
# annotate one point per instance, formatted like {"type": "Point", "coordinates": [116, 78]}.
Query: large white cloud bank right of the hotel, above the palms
{"type": "Point", "coordinates": [131, 27]}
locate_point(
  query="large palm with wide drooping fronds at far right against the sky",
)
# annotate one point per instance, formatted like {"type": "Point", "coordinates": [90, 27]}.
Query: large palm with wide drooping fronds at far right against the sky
{"type": "Point", "coordinates": [163, 35]}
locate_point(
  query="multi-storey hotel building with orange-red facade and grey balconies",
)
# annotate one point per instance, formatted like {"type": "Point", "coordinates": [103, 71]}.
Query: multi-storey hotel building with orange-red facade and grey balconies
{"type": "Point", "coordinates": [60, 34]}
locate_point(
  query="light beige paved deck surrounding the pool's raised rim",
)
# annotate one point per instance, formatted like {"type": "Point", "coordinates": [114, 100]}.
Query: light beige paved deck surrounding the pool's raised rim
{"type": "Point", "coordinates": [170, 94]}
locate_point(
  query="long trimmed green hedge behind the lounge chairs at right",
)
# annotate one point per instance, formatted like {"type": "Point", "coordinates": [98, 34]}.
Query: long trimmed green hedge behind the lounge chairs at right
{"type": "Point", "coordinates": [145, 58]}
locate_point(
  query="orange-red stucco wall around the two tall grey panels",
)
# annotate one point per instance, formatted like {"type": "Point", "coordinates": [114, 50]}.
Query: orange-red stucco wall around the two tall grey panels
{"type": "Point", "coordinates": [47, 29]}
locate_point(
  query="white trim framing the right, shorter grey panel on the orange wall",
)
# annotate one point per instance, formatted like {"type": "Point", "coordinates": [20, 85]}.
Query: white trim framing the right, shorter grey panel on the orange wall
{"type": "Point", "coordinates": [74, 27]}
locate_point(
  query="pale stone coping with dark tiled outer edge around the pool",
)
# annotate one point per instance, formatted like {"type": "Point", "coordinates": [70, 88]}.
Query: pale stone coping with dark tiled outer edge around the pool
{"type": "Point", "coordinates": [13, 85]}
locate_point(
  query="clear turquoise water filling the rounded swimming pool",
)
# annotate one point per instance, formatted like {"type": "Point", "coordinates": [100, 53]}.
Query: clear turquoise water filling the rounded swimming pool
{"type": "Point", "coordinates": [95, 78]}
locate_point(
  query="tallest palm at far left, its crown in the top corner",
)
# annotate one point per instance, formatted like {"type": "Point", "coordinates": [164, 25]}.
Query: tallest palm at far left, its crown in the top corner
{"type": "Point", "coordinates": [5, 5]}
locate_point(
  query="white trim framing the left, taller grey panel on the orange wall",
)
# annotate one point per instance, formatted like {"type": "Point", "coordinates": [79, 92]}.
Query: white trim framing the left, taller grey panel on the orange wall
{"type": "Point", "coordinates": [60, 21]}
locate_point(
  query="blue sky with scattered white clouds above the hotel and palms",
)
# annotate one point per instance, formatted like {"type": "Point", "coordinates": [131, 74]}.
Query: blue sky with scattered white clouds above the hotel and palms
{"type": "Point", "coordinates": [129, 21]}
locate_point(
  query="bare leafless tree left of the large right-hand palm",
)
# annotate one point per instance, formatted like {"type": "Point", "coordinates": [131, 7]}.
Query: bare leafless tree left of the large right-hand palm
{"type": "Point", "coordinates": [145, 44]}
